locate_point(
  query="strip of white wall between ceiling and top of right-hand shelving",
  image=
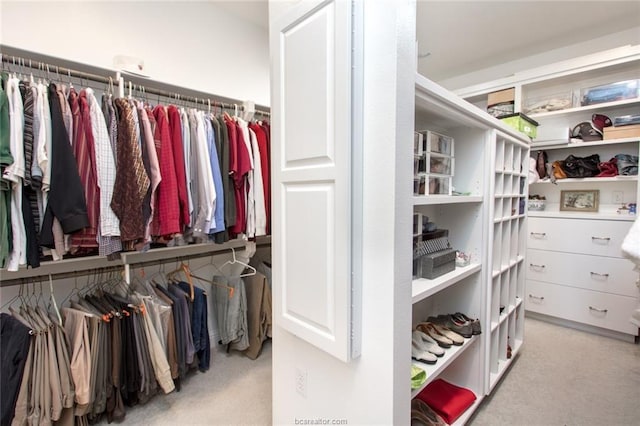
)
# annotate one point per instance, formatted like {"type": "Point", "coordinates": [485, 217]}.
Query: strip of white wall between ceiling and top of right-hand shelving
{"type": "Point", "coordinates": [627, 37]}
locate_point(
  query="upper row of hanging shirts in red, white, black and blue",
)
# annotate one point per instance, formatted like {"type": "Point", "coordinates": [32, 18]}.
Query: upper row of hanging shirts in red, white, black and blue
{"type": "Point", "coordinates": [206, 178]}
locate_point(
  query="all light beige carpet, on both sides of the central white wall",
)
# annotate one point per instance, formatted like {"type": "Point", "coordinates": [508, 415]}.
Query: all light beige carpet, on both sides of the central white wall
{"type": "Point", "coordinates": [562, 376]}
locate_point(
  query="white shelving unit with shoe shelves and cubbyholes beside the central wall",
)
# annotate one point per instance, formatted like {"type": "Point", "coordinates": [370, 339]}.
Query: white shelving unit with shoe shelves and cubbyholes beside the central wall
{"type": "Point", "coordinates": [491, 161]}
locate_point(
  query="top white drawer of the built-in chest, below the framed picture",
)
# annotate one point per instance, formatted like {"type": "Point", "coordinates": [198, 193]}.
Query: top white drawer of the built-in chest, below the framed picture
{"type": "Point", "coordinates": [596, 237]}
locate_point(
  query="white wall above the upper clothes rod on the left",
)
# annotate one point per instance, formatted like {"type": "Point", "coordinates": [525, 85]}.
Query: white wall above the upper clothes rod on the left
{"type": "Point", "coordinates": [197, 45]}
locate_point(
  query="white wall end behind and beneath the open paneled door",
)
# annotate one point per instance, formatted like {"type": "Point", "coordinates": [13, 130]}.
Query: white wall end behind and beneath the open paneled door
{"type": "Point", "coordinates": [374, 388]}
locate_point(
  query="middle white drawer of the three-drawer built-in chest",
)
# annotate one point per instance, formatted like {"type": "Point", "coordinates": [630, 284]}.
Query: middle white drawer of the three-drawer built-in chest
{"type": "Point", "coordinates": [605, 274]}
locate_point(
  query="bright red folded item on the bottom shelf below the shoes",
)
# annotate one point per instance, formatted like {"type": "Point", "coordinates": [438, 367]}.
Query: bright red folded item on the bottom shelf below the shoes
{"type": "Point", "coordinates": [446, 399]}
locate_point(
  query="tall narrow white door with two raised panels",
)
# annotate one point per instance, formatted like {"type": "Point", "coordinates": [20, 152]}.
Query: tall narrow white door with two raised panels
{"type": "Point", "coordinates": [311, 172]}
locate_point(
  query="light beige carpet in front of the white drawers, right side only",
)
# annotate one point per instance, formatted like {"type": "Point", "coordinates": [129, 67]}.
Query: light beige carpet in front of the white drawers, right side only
{"type": "Point", "coordinates": [564, 376]}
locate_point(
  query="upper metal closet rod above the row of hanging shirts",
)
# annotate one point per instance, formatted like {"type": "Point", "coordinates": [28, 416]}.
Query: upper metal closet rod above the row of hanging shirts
{"type": "Point", "coordinates": [24, 59]}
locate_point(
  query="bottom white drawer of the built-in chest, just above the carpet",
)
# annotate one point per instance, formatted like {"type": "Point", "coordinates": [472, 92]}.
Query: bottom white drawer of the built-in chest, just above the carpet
{"type": "Point", "coordinates": [608, 311]}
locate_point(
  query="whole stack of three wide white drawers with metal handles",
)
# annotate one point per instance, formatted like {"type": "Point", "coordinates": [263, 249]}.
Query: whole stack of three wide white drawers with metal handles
{"type": "Point", "coordinates": [575, 271]}
